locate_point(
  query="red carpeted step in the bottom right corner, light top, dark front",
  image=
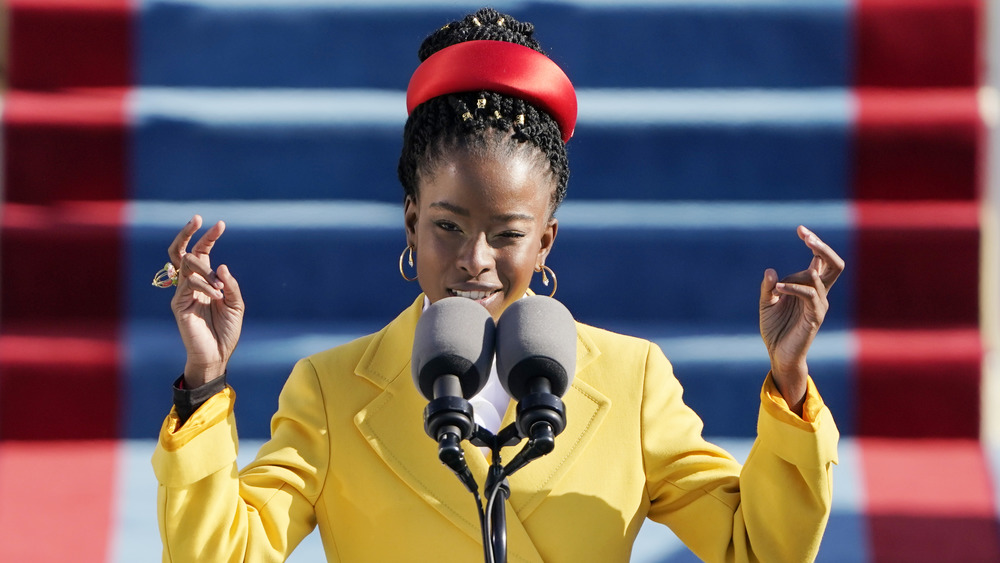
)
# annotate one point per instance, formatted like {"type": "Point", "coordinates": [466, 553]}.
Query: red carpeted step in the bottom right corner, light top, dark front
{"type": "Point", "coordinates": [929, 500]}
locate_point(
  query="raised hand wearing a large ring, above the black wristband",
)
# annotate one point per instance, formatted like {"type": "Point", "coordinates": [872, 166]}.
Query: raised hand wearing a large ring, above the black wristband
{"type": "Point", "coordinates": [207, 304]}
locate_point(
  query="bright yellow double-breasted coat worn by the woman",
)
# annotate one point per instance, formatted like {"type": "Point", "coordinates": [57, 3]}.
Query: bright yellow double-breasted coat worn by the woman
{"type": "Point", "coordinates": [348, 452]}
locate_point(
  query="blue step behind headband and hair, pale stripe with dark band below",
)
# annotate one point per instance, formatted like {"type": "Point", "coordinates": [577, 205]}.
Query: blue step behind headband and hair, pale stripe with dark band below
{"type": "Point", "coordinates": [711, 147]}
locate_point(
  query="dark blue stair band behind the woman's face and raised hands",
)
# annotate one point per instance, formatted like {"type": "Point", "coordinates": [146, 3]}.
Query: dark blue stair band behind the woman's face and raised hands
{"type": "Point", "coordinates": [701, 277]}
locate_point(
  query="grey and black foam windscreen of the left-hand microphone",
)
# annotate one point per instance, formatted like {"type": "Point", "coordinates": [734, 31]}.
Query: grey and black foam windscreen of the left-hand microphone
{"type": "Point", "coordinates": [454, 336]}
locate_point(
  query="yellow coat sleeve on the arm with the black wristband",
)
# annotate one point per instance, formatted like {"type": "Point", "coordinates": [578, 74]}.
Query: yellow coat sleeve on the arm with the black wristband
{"type": "Point", "coordinates": [208, 511]}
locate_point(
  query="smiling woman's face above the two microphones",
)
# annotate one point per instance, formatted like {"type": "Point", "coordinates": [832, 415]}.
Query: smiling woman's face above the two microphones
{"type": "Point", "coordinates": [481, 226]}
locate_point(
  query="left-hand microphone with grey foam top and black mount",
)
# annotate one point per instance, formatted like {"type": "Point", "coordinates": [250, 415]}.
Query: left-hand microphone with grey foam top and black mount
{"type": "Point", "coordinates": [451, 359]}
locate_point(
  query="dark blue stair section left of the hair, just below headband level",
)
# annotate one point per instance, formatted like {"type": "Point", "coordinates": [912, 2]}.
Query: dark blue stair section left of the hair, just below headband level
{"type": "Point", "coordinates": [192, 161]}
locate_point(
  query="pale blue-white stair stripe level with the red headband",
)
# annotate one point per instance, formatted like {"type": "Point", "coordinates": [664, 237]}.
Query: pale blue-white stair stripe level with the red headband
{"type": "Point", "coordinates": [386, 108]}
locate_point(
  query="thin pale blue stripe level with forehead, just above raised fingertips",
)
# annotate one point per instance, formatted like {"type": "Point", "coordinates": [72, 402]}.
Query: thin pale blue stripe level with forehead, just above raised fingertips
{"type": "Point", "coordinates": [580, 214]}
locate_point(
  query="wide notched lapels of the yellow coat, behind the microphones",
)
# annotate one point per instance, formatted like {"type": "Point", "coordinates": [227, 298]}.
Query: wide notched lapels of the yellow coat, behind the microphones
{"type": "Point", "coordinates": [392, 423]}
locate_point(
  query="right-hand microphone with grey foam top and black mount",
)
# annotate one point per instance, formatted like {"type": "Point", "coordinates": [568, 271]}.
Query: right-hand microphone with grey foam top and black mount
{"type": "Point", "coordinates": [536, 360]}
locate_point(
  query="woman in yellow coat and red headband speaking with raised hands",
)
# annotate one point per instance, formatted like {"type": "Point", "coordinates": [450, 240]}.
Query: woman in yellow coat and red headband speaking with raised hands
{"type": "Point", "coordinates": [483, 172]}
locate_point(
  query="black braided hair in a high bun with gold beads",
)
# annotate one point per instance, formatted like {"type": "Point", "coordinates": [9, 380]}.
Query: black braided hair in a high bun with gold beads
{"type": "Point", "coordinates": [483, 120]}
